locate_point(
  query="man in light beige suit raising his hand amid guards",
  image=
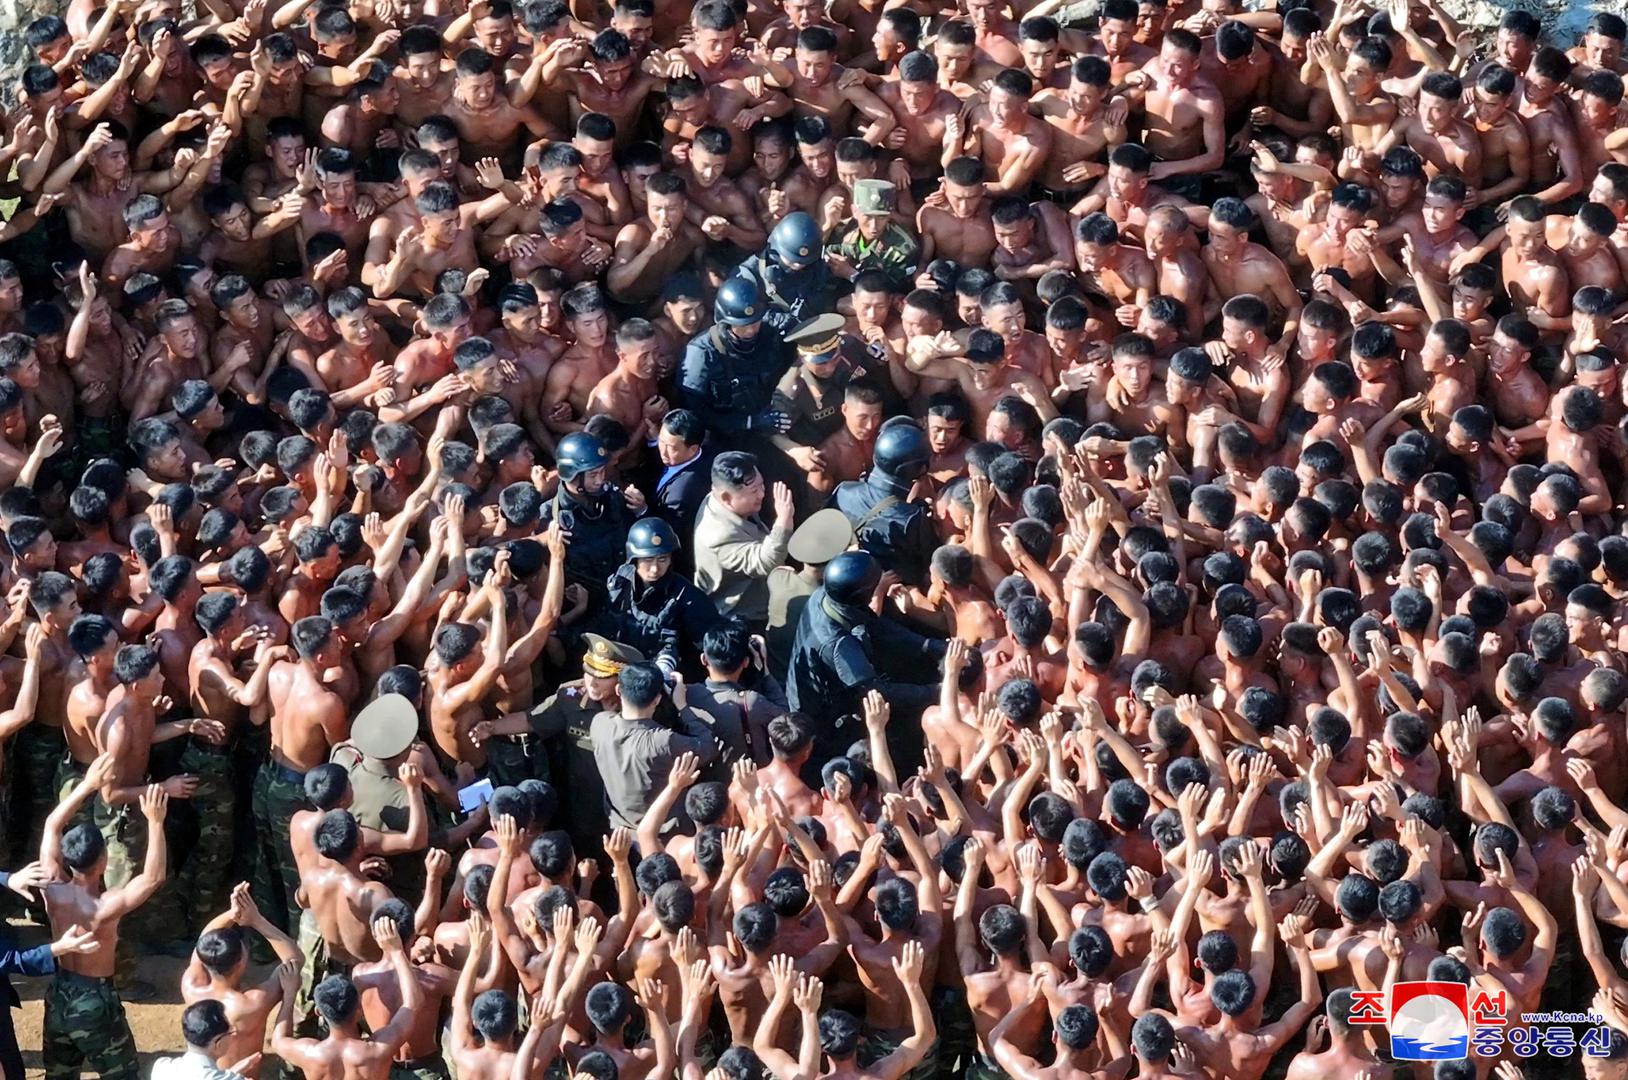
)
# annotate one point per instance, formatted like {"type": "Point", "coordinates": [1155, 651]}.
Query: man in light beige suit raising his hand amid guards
{"type": "Point", "coordinates": [735, 551]}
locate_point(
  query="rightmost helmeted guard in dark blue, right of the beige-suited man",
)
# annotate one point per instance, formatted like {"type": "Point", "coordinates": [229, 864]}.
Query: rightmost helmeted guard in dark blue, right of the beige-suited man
{"type": "Point", "coordinates": [886, 520]}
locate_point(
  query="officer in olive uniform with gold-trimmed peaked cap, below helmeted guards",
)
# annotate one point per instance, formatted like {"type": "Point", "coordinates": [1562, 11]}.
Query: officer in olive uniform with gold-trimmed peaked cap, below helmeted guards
{"type": "Point", "coordinates": [564, 722]}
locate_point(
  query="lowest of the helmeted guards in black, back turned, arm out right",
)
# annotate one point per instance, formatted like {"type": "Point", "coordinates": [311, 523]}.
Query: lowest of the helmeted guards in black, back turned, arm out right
{"type": "Point", "coordinates": [844, 651]}
